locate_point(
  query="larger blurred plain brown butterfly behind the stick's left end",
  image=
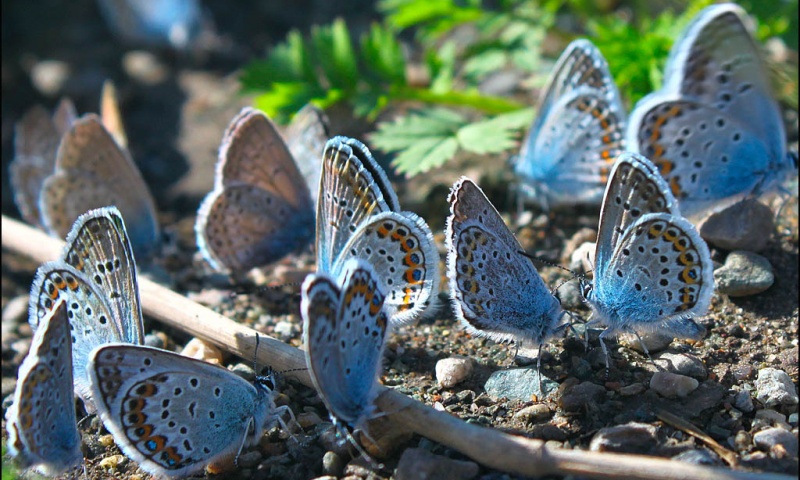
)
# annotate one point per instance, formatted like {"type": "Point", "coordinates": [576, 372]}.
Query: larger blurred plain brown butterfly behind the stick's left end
{"type": "Point", "coordinates": [93, 172]}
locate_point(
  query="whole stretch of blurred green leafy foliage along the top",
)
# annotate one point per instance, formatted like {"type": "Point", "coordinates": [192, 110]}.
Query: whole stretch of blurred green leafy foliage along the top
{"type": "Point", "coordinates": [461, 42]}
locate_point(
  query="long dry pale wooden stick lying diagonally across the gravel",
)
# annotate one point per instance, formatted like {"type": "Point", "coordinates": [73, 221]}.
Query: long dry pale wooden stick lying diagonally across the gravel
{"type": "Point", "coordinates": [513, 454]}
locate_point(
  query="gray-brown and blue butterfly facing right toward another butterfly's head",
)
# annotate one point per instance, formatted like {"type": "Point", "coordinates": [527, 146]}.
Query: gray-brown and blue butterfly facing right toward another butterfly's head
{"type": "Point", "coordinates": [496, 291]}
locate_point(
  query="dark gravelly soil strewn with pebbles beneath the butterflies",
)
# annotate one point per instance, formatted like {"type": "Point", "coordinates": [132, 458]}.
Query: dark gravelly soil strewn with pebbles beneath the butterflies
{"type": "Point", "coordinates": [729, 385]}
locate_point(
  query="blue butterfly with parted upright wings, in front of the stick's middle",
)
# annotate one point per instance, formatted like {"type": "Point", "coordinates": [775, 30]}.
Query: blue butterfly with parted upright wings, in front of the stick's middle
{"type": "Point", "coordinates": [345, 326]}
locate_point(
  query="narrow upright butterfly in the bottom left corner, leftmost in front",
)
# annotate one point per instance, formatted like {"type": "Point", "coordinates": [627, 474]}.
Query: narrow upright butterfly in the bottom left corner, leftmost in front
{"type": "Point", "coordinates": [41, 423]}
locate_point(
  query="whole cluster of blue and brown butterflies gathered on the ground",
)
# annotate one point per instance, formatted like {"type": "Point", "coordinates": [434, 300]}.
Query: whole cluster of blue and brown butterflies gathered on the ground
{"type": "Point", "coordinates": [714, 135]}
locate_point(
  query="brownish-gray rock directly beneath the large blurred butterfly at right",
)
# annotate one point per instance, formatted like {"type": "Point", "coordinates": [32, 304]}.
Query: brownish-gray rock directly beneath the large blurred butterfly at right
{"type": "Point", "coordinates": [745, 225]}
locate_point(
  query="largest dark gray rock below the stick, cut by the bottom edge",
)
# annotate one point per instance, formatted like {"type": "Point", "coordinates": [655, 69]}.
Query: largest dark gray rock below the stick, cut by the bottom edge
{"type": "Point", "coordinates": [418, 463]}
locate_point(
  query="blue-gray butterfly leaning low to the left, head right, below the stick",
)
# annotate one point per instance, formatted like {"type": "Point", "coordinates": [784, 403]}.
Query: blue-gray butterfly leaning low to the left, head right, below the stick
{"type": "Point", "coordinates": [173, 414]}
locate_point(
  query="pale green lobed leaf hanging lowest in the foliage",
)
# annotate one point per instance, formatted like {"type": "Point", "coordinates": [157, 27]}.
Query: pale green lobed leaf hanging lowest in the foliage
{"type": "Point", "coordinates": [428, 138]}
